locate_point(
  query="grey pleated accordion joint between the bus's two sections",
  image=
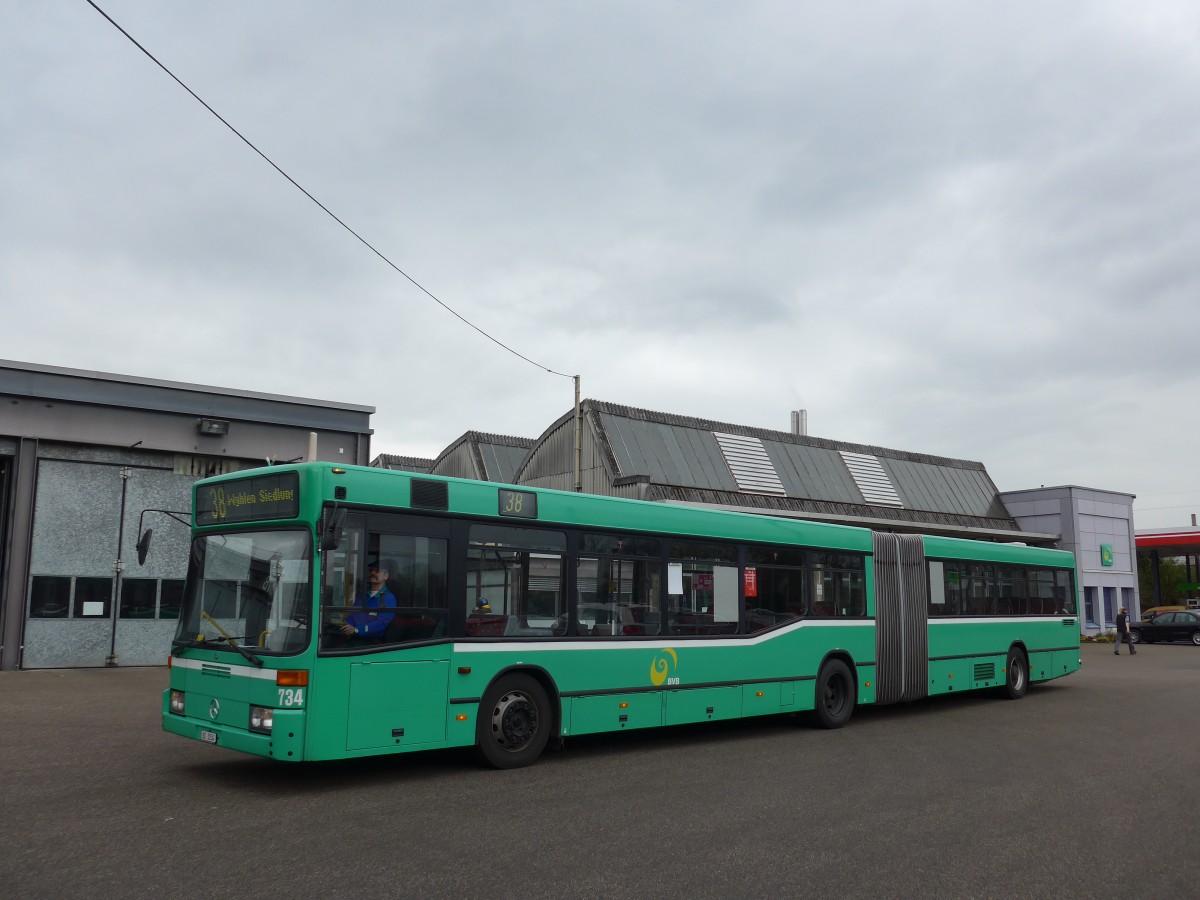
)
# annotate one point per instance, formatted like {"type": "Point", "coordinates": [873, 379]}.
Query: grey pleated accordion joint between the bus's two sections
{"type": "Point", "coordinates": [902, 619]}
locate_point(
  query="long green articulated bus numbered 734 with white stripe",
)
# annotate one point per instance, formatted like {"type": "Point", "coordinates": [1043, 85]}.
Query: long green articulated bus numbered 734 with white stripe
{"type": "Point", "coordinates": [335, 613]}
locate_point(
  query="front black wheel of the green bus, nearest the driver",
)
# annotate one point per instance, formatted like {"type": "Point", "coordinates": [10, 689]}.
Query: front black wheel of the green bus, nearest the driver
{"type": "Point", "coordinates": [514, 723]}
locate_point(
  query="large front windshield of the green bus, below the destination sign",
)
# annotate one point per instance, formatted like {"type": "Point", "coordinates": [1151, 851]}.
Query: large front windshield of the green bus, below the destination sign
{"type": "Point", "coordinates": [250, 590]}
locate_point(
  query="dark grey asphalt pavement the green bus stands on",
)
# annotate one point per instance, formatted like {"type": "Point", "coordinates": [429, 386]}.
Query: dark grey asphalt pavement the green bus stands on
{"type": "Point", "coordinates": [1088, 788]}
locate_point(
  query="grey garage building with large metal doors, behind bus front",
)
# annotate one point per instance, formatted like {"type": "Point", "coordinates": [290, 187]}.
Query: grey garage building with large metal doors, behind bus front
{"type": "Point", "coordinates": [88, 461]}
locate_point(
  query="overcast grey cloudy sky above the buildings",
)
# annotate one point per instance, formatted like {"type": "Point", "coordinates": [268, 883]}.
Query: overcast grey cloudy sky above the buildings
{"type": "Point", "coordinates": [965, 230]}
